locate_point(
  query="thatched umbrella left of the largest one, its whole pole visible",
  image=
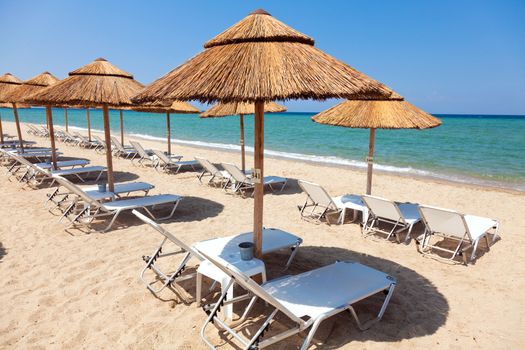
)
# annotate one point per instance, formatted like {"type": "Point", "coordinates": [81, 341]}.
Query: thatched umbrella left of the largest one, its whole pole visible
{"type": "Point", "coordinates": [98, 83]}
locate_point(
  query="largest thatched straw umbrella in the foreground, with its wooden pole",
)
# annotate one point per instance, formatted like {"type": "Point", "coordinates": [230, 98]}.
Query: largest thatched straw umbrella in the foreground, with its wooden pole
{"type": "Point", "coordinates": [261, 59]}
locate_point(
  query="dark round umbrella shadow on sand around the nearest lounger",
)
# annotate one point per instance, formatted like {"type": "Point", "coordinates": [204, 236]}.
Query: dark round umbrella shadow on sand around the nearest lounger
{"type": "Point", "coordinates": [416, 309]}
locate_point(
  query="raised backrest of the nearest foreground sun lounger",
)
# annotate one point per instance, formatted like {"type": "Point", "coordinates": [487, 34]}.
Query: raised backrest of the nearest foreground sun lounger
{"type": "Point", "coordinates": [250, 285]}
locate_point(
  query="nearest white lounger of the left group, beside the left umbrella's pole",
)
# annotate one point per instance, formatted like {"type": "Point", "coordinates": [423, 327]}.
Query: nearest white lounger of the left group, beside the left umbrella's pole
{"type": "Point", "coordinates": [92, 209]}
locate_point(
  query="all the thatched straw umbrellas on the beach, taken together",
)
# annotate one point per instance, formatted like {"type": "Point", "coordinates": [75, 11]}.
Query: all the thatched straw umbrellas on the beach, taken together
{"type": "Point", "coordinates": [256, 61]}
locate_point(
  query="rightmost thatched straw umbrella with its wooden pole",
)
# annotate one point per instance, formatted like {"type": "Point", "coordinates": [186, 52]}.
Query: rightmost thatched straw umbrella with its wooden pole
{"type": "Point", "coordinates": [391, 114]}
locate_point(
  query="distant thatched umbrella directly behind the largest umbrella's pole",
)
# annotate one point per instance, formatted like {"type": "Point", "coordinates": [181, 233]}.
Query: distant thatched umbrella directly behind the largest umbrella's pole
{"type": "Point", "coordinates": [241, 109]}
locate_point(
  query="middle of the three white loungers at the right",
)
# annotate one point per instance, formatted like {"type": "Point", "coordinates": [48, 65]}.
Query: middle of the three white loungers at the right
{"type": "Point", "coordinates": [403, 217]}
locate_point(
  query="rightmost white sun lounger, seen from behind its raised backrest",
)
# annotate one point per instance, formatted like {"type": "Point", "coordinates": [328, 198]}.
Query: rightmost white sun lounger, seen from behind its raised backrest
{"type": "Point", "coordinates": [466, 230]}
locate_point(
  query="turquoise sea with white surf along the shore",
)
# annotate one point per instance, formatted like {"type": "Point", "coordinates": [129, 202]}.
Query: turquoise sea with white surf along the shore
{"type": "Point", "coordinates": [476, 149]}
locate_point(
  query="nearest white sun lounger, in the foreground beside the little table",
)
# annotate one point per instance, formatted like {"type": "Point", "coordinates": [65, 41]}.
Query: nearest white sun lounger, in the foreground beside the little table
{"type": "Point", "coordinates": [306, 299]}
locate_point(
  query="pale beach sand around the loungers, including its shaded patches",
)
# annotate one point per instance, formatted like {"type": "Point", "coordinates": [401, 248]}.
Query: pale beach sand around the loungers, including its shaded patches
{"type": "Point", "coordinates": [74, 290]}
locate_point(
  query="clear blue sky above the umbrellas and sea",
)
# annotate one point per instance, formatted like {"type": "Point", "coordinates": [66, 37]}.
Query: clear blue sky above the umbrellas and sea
{"type": "Point", "coordinates": [444, 56]}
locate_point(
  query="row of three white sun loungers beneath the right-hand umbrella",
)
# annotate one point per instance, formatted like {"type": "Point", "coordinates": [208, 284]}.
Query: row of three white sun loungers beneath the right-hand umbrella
{"type": "Point", "coordinates": [400, 218]}
